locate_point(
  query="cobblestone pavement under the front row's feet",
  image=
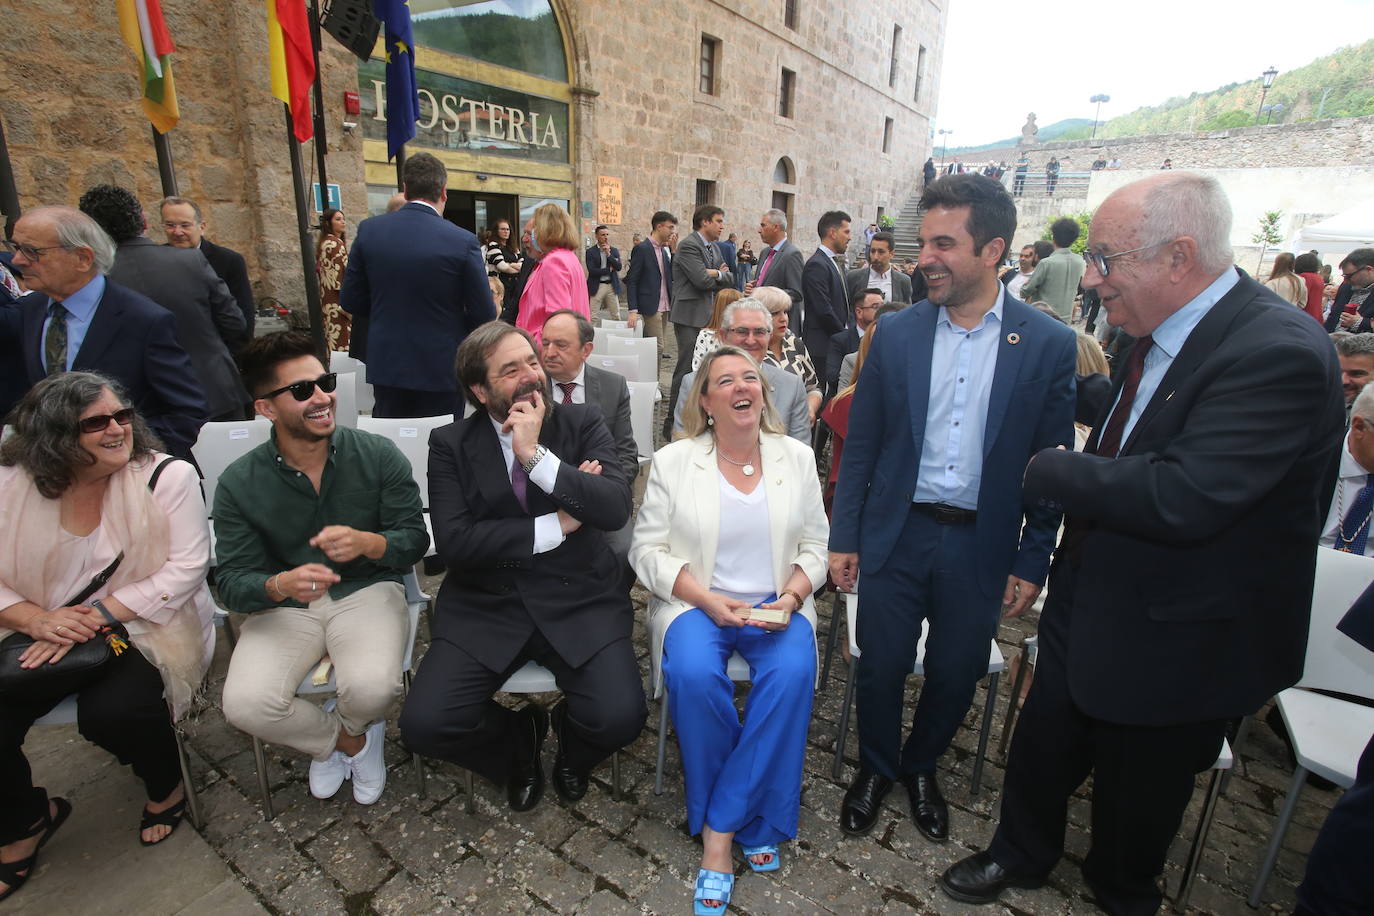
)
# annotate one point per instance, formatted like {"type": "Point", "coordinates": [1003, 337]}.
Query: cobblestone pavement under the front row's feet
{"type": "Point", "coordinates": [633, 856]}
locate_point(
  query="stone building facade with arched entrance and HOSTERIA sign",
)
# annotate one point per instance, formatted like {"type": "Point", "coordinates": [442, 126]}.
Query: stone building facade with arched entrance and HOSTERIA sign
{"type": "Point", "coordinates": [681, 104]}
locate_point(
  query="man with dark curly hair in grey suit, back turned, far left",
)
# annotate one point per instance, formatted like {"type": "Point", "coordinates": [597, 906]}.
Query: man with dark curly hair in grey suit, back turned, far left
{"type": "Point", "coordinates": [208, 318]}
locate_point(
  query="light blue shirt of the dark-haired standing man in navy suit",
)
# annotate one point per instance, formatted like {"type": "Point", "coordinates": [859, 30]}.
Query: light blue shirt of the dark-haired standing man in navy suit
{"type": "Point", "coordinates": [962, 365]}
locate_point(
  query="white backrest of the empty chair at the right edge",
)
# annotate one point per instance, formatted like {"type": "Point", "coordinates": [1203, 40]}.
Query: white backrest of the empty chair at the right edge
{"type": "Point", "coordinates": [1335, 661]}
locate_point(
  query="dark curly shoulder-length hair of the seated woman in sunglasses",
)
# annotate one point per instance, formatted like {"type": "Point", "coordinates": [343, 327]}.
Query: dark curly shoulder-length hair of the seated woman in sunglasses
{"type": "Point", "coordinates": [46, 440]}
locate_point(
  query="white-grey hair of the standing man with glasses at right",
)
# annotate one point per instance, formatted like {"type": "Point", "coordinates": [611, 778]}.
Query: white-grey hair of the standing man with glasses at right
{"type": "Point", "coordinates": [1193, 205]}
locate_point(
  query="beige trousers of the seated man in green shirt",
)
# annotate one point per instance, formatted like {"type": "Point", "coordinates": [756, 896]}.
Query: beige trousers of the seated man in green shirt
{"type": "Point", "coordinates": [363, 634]}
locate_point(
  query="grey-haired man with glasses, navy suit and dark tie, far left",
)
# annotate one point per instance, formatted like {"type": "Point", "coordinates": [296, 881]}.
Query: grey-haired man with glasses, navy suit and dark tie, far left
{"type": "Point", "coordinates": [80, 321]}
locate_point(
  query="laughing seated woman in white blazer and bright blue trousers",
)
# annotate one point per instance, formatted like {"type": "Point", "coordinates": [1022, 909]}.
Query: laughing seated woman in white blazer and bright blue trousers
{"type": "Point", "coordinates": [732, 542]}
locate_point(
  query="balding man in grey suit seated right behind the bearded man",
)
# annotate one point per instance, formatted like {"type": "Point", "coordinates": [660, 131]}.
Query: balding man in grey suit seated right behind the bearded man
{"type": "Point", "coordinates": [567, 344]}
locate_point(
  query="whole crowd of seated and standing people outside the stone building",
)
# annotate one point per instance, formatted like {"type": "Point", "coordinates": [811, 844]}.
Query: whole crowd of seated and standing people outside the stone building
{"type": "Point", "coordinates": [965, 421]}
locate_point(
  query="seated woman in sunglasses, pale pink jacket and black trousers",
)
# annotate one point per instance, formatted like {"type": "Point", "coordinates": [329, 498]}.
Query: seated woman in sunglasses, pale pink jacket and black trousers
{"type": "Point", "coordinates": [87, 499]}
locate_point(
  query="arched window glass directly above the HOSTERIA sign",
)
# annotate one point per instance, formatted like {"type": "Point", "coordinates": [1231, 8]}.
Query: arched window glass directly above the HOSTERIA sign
{"type": "Point", "coordinates": [521, 35]}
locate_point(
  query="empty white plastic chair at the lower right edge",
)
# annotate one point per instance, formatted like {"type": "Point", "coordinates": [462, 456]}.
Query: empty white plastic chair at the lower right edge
{"type": "Point", "coordinates": [1328, 734]}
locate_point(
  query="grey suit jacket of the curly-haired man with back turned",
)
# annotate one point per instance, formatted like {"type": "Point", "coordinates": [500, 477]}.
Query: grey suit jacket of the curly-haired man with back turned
{"type": "Point", "coordinates": [208, 319]}
